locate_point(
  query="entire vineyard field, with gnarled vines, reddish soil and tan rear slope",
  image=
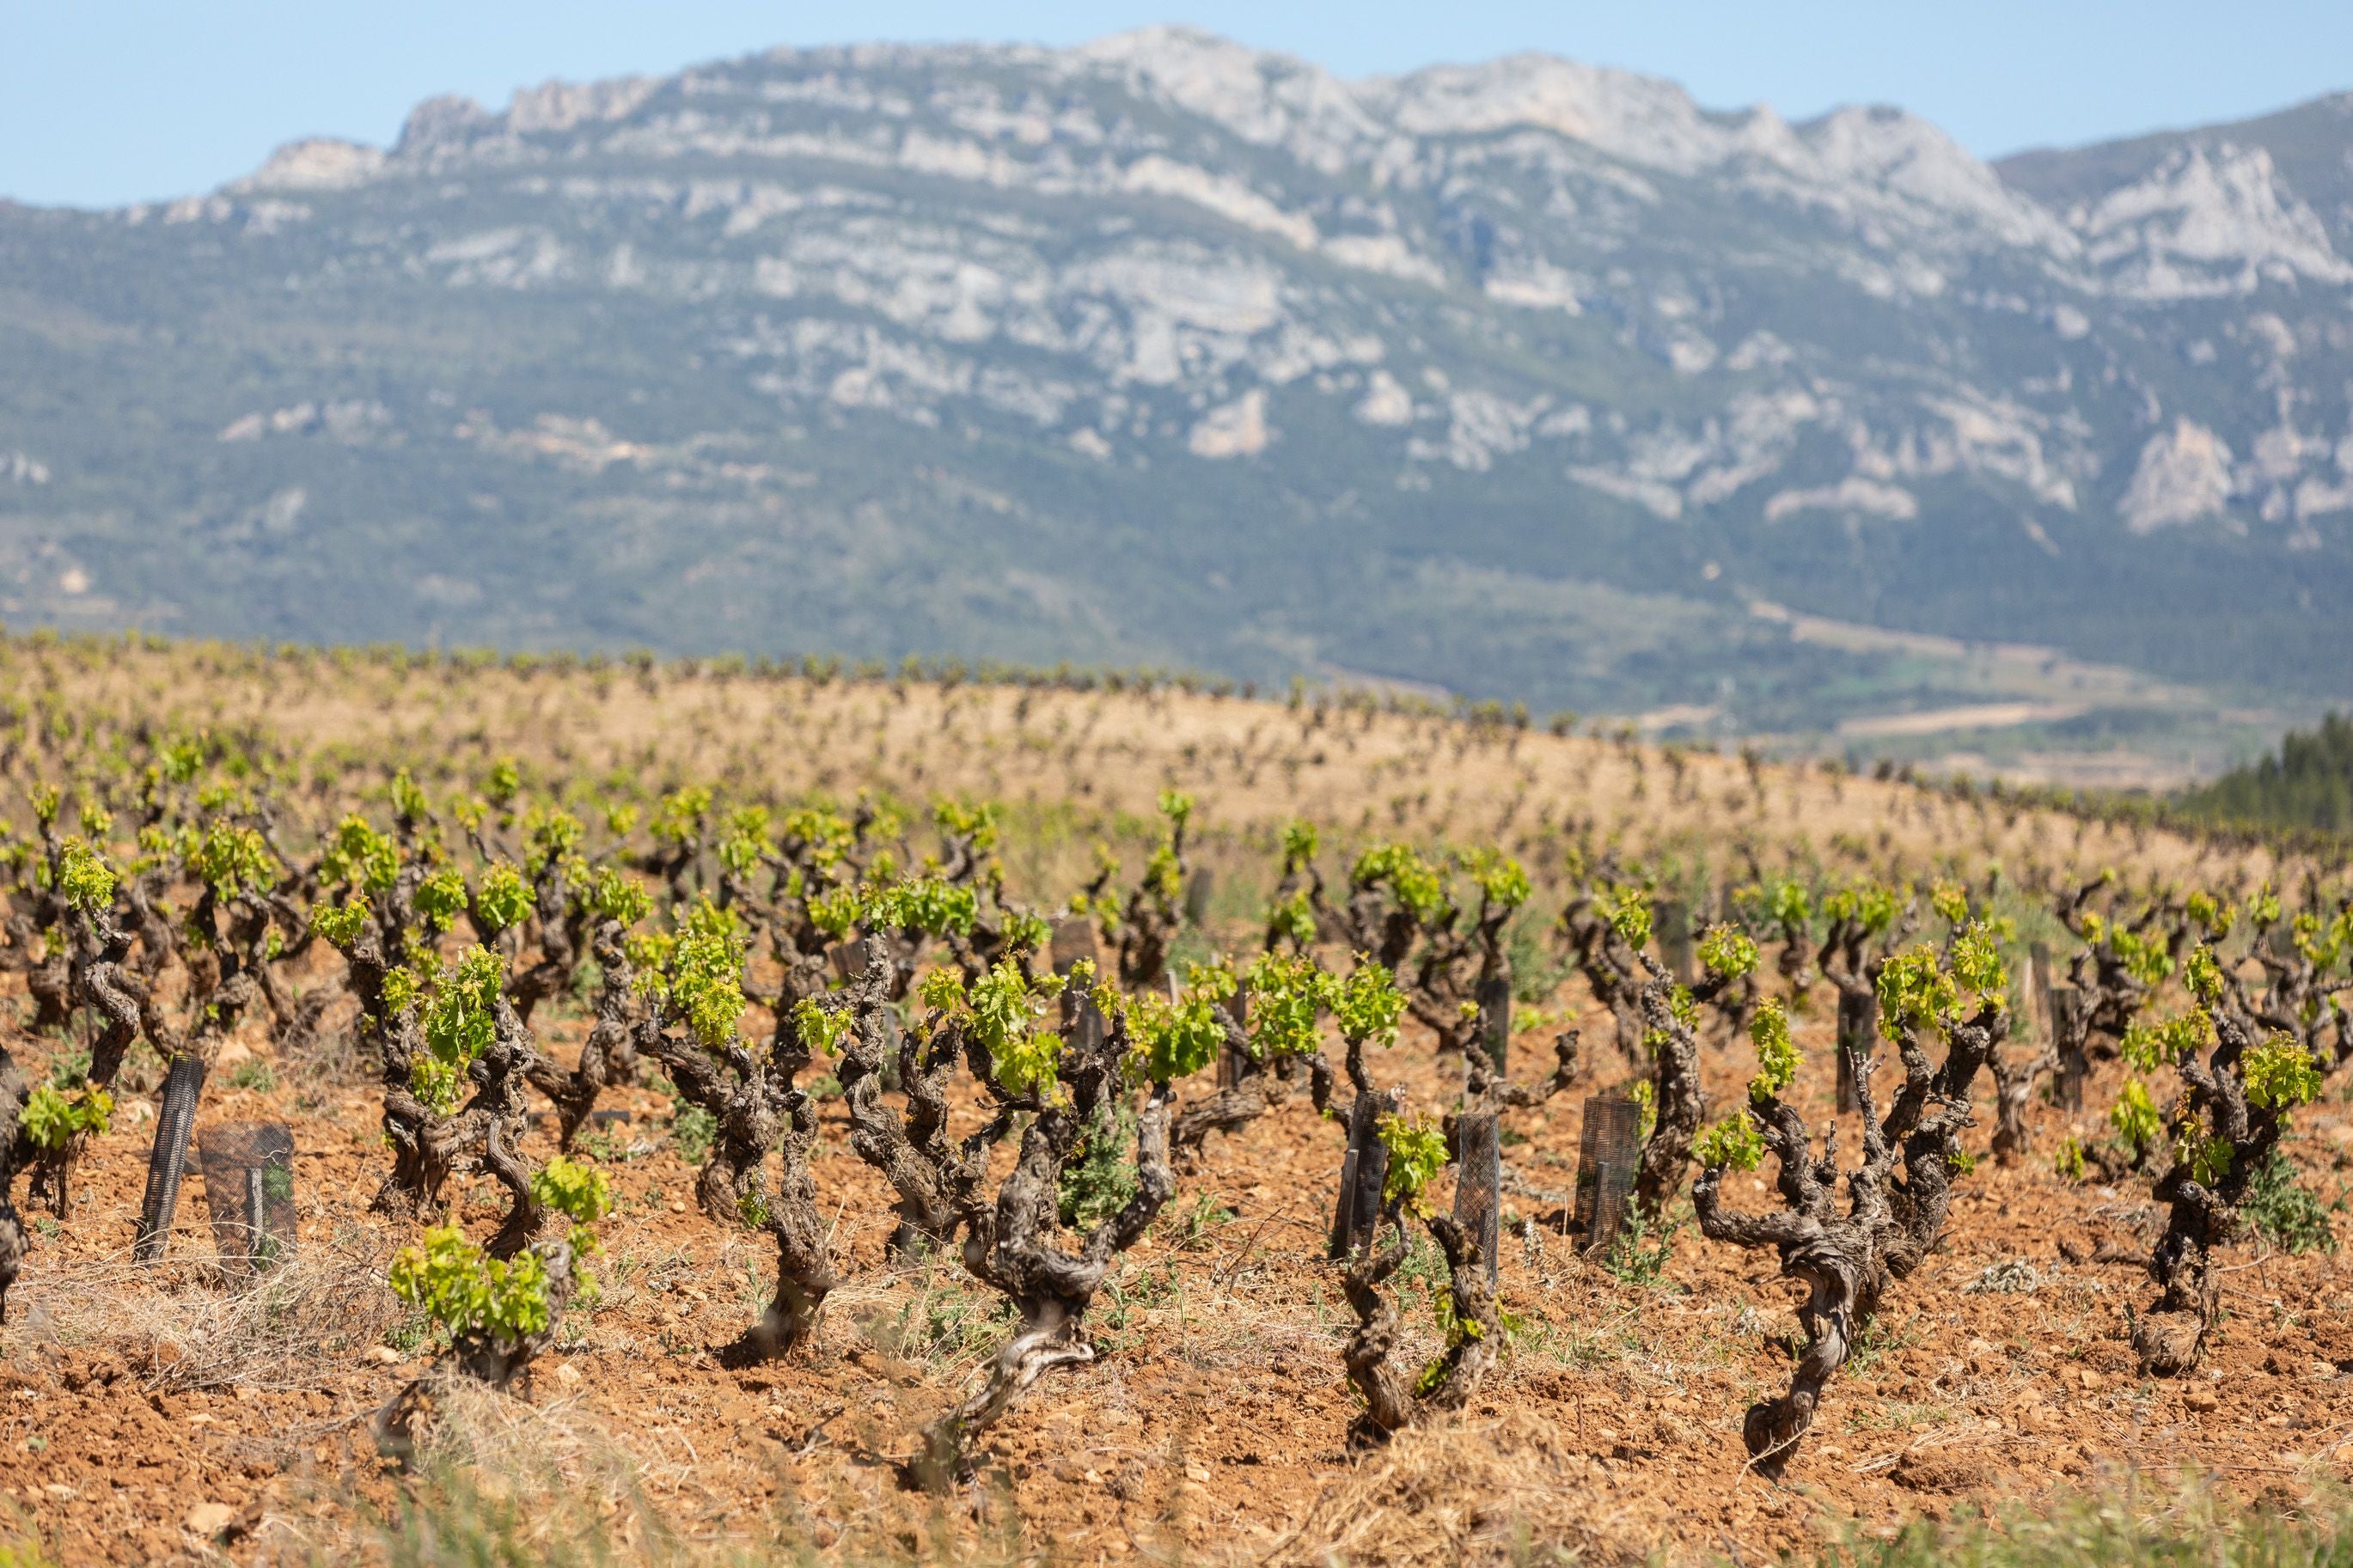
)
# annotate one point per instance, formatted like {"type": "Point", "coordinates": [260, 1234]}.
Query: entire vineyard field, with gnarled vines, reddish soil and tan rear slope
{"type": "Point", "coordinates": [467, 1106]}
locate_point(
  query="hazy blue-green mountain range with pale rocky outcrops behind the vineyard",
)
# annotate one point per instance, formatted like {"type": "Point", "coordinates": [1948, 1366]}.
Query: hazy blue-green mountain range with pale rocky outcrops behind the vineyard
{"type": "Point", "coordinates": [1524, 380]}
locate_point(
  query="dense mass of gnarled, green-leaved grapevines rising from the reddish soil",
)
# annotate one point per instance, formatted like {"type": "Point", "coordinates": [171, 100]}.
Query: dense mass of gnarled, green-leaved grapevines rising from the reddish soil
{"type": "Point", "coordinates": [173, 892]}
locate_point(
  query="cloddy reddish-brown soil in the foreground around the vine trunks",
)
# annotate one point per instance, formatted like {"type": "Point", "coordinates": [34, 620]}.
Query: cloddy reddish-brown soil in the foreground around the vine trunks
{"type": "Point", "coordinates": [1213, 1419]}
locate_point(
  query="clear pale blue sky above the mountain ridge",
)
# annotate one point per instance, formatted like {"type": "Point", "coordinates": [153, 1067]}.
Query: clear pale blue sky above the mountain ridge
{"type": "Point", "coordinates": [112, 102]}
